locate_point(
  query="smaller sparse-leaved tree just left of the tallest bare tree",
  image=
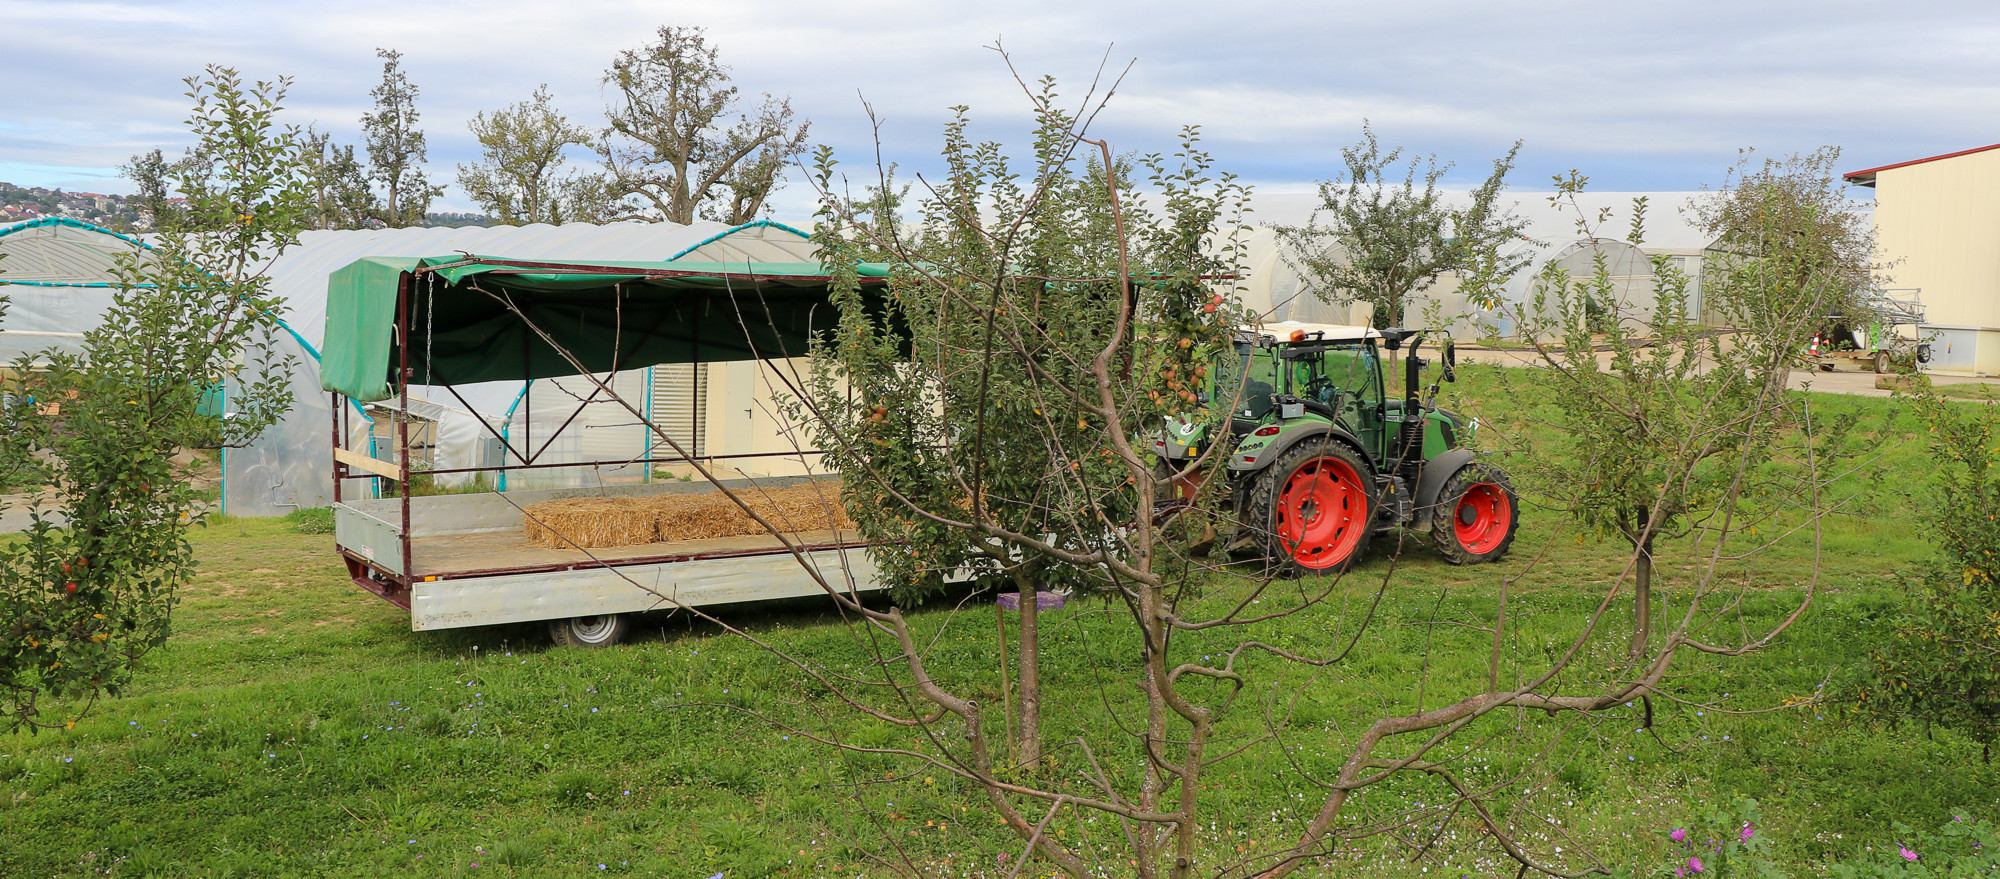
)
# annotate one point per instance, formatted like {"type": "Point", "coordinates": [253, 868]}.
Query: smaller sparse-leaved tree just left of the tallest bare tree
{"type": "Point", "coordinates": [521, 175]}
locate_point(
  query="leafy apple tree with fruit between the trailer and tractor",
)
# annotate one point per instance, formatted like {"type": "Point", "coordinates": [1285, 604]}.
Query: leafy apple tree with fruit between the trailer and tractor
{"type": "Point", "coordinates": [987, 421]}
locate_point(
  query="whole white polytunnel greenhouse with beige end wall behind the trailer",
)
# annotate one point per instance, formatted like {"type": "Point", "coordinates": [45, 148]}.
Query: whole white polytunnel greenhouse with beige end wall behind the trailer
{"type": "Point", "coordinates": [291, 464]}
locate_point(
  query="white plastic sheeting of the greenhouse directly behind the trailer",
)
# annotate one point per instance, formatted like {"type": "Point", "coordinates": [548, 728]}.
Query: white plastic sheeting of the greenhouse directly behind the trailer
{"type": "Point", "coordinates": [291, 468]}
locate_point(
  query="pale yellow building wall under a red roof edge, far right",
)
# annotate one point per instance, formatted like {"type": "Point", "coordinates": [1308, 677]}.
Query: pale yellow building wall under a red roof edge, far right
{"type": "Point", "coordinates": [1939, 225]}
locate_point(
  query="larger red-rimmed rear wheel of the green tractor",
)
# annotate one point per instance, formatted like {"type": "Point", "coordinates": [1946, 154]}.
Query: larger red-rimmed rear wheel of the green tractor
{"type": "Point", "coordinates": [1315, 508]}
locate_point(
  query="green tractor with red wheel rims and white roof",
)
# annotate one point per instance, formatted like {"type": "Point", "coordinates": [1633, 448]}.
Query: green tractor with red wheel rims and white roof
{"type": "Point", "coordinates": [1319, 458]}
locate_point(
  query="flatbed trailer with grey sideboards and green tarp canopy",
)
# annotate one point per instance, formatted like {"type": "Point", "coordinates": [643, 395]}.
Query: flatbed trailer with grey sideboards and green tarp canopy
{"type": "Point", "coordinates": [465, 560]}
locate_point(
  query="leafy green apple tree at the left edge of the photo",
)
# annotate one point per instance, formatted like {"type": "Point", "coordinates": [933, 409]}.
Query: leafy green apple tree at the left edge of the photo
{"type": "Point", "coordinates": [91, 586]}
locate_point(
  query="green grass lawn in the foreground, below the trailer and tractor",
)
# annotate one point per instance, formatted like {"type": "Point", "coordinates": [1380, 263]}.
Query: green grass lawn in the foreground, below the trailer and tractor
{"type": "Point", "coordinates": [295, 726]}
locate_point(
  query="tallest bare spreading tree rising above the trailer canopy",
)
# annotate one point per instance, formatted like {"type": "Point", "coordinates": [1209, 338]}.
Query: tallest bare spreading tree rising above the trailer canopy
{"type": "Point", "coordinates": [671, 147]}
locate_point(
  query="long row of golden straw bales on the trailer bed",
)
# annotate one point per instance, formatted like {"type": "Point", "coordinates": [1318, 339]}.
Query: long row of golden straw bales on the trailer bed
{"type": "Point", "coordinates": [597, 522]}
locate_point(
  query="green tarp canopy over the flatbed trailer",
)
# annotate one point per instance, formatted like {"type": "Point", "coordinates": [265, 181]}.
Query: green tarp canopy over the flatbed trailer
{"type": "Point", "coordinates": [467, 317]}
